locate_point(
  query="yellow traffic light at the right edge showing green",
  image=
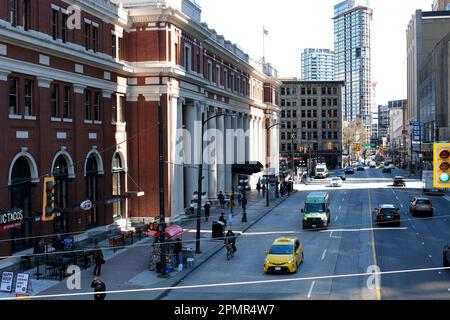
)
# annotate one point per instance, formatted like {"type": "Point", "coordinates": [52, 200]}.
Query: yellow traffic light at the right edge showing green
{"type": "Point", "coordinates": [441, 165]}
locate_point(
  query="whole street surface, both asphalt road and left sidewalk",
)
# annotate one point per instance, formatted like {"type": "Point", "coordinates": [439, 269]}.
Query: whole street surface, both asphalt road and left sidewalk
{"type": "Point", "coordinates": [337, 264]}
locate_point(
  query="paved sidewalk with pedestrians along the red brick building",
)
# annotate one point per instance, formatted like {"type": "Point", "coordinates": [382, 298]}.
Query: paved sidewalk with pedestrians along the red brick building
{"type": "Point", "coordinates": [128, 268]}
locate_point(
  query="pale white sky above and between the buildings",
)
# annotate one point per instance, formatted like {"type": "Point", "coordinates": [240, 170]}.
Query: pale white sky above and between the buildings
{"type": "Point", "coordinates": [297, 24]}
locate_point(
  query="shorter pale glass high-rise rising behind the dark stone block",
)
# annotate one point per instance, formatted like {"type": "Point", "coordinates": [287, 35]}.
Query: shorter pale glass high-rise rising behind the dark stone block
{"type": "Point", "coordinates": [317, 65]}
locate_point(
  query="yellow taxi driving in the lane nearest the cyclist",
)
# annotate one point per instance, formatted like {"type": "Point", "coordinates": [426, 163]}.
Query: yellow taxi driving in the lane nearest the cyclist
{"type": "Point", "coordinates": [285, 255]}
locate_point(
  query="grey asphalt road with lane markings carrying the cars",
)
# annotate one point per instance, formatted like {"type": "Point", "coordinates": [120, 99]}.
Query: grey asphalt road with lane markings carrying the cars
{"type": "Point", "coordinates": [352, 245]}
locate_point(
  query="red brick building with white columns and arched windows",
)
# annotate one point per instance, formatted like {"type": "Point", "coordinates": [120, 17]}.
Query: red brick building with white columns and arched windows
{"type": "Point", "coordinates": [80, 91]}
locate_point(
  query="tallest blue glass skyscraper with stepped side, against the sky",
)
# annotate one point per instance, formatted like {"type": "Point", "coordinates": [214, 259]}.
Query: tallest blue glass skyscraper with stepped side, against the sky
{"type": "Point", "coordinates": [352, 48]}
